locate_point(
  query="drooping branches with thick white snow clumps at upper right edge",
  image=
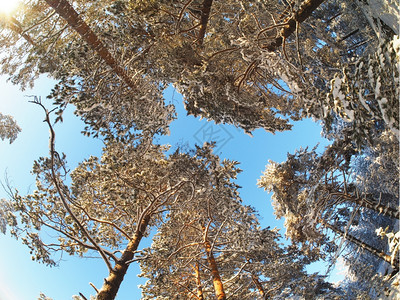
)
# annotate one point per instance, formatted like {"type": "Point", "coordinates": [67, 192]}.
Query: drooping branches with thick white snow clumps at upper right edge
{"type": "Point", "coordinates": [367, 93]}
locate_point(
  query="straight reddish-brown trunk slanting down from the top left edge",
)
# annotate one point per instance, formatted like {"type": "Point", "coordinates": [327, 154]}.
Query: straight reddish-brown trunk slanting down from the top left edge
{"type": "Point", "coordinates": [68, 13]}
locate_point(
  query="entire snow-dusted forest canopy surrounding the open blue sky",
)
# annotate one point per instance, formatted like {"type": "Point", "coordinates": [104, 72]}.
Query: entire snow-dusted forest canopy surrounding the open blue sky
{"type": "Point", "coordinates": [252, 64]}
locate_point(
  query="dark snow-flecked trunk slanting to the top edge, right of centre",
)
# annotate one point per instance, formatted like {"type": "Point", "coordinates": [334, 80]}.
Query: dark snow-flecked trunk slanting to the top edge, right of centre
{"type": "Point", "coordinates": [305, 10]}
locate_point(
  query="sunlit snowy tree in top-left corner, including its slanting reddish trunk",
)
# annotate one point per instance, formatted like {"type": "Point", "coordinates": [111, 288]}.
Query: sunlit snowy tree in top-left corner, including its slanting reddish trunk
{"type": "Point", "coordinates": [88, 74]}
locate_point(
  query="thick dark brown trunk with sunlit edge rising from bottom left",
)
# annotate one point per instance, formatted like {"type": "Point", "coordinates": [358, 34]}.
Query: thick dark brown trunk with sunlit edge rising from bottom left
{"type": "Point", "coordinates": [113, 281]}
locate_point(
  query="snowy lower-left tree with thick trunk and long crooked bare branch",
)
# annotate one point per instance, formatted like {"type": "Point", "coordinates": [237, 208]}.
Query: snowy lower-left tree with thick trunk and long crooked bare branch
{"type": "Point", "coordinates": [110, 205]}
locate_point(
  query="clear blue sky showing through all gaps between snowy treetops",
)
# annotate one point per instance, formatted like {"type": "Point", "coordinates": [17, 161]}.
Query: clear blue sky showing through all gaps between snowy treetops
{"type": "Point", "coordinates": [22, 279]}
